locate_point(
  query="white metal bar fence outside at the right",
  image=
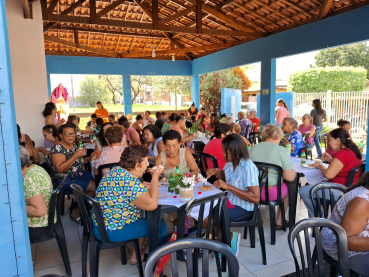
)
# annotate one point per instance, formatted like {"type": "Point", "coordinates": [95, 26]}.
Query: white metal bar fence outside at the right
{"type": "Point", "coordinates": [350, 106]}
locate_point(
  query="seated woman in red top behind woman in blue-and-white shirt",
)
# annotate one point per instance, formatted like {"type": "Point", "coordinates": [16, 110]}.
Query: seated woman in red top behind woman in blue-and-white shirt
{"type": "Point", "coordinates": [214, 147]}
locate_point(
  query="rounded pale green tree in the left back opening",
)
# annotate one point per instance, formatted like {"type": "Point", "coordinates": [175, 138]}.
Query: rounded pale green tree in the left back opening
{"type": "Point", "coordinates": [93, 89]}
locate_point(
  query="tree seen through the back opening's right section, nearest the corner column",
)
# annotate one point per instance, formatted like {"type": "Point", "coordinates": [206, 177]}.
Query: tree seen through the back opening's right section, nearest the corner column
{"type": "Point", "coordinates": [163, 85]}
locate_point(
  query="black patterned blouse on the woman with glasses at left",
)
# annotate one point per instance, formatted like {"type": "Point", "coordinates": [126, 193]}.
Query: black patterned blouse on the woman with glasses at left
{"type": "Point", "coordinates": [76, 169]}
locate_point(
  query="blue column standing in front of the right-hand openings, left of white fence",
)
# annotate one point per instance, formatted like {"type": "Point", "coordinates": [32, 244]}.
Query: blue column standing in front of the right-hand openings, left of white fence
{"type": "Point", "coordinates": [268, 91]}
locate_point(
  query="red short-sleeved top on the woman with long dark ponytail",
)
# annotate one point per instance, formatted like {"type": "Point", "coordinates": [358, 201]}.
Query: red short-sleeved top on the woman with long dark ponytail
{"type": "Point", "coordinates": [349, 160]}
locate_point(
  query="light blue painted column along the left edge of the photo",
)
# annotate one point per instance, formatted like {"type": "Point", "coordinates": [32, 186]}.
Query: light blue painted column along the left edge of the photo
{"type": "Point", "coordinates": [15, 254]}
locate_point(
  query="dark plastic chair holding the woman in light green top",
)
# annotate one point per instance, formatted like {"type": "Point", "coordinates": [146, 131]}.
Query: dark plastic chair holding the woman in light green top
{"type": "Point", "coordinates": [272, 204]}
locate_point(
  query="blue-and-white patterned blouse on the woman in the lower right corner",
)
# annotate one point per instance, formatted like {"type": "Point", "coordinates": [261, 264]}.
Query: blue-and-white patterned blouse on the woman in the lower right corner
{"type": "Point", "coordinates": [328, 237]}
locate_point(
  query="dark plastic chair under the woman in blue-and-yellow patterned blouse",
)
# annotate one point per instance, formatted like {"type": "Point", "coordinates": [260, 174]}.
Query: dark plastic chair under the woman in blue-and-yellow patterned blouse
{"type": "Point", "coordinates": [89, 240]}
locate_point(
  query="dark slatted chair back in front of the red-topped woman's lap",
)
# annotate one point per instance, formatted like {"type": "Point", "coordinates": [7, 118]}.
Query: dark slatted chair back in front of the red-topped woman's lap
{"type": "Point", "coordinates": [327, 201]}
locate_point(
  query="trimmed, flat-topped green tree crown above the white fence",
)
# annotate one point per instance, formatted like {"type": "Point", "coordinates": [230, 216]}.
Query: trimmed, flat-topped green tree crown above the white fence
{"type": "Point", "coordinates": [320, 79]}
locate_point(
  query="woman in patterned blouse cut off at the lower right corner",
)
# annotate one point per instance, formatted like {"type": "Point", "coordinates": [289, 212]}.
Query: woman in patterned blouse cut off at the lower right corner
{"type": "Point", "coordinates": [352, 213]}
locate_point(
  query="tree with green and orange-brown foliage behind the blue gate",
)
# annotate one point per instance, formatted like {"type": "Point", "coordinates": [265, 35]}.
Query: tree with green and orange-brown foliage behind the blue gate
{"type": "Point", "coordinates": [212, 83]}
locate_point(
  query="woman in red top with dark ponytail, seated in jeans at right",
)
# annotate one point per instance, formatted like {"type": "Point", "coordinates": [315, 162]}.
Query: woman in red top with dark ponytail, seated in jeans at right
{"type": "Point", "coordinates": [347, 157]}
